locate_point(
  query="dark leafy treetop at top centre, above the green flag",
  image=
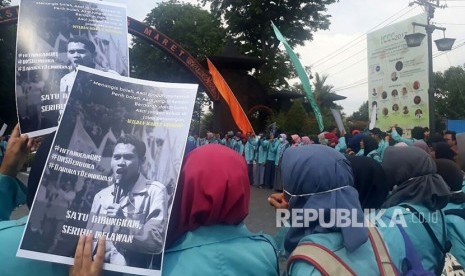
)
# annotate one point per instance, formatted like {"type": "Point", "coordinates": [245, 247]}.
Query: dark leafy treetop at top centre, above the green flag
{"type": "Point", "coordinates": [249, 23]}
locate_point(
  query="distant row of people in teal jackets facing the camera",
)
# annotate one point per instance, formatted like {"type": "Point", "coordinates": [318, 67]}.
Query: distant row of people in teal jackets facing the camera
{"type": "Point", "coordinates": [263, 152]}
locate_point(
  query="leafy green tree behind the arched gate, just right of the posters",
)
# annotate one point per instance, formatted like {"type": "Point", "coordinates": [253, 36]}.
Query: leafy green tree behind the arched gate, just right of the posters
{"type": "Point", "coordinates": [195, 29]}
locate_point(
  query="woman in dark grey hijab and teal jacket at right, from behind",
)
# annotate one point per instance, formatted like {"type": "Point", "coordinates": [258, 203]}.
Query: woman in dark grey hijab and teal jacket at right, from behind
{"type": "Point", "coordinates": [418, 195]}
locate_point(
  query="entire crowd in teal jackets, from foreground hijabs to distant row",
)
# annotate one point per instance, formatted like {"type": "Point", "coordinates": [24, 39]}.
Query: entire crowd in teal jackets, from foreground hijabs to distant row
{"type": "Point", "coordinates": [418, 180]}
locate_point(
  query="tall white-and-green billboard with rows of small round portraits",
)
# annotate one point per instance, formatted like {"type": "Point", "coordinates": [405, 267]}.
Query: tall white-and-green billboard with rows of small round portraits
{"type": "Point", "coordinates": [398, 76]}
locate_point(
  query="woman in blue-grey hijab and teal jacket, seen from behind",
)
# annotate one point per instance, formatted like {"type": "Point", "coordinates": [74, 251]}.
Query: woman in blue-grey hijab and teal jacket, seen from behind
{"type": "Point", "coordinates": [318, 178]}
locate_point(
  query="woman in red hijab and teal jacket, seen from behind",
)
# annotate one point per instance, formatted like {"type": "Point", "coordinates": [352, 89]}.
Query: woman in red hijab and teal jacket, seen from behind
{"type": "Point", "coordinates": [206, 235]}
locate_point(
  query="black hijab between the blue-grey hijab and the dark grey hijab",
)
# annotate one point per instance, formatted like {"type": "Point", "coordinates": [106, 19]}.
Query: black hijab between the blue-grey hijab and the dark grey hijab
{"type": "Point", "coordinates": [370, 181]}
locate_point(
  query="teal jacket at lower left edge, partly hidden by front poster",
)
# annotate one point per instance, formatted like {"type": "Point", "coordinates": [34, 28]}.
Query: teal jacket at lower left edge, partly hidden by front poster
{"type": "Point", "coordinates": [11, 231]}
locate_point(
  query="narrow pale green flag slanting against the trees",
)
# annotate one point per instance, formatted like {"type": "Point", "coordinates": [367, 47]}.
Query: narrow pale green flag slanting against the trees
{"type": "Point", "coordinates": [302, 76]}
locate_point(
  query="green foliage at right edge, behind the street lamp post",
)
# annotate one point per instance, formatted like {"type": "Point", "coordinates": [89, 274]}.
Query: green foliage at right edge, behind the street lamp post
{"type": "Point", "coordinates": [450, 93]}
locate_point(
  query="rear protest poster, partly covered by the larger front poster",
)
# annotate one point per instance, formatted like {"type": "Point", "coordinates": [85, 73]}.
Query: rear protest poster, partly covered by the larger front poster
{"type": "Point", "coordinates": [54, 37]}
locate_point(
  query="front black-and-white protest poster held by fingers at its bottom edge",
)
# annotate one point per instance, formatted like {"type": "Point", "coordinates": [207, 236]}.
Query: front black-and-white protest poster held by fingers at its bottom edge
{"type": "Point", "coordinates": [112, 170]}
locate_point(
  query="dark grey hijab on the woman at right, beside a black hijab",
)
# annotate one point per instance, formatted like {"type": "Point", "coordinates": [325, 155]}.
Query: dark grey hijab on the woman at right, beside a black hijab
{"type": "Point", "coordinates": [413, 175]}
